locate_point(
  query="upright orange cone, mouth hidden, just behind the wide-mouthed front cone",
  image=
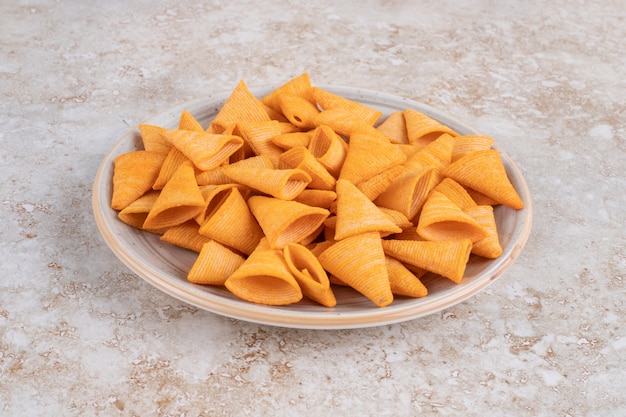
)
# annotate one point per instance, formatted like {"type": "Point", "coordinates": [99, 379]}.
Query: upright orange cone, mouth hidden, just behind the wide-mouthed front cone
{"type": "Point", "coordinates": [231, 223]}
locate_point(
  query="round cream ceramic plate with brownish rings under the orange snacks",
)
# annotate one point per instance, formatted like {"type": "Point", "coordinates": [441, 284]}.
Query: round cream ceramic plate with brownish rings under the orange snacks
{"type": "Point", "coordinates": [166, 266]}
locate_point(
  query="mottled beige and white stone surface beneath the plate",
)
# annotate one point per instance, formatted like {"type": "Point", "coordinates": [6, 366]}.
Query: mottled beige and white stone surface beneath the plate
{"type": "Point", "coordinates": [82, 335]}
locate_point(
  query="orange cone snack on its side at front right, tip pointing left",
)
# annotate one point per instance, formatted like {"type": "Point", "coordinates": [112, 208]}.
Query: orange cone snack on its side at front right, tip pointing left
{"type": "Point", "coordinates": [447, 258]}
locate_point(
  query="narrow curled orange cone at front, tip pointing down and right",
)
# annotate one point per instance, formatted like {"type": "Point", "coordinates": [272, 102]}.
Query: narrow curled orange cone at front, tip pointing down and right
{"type": "Point", "coordinates": [309, 274]}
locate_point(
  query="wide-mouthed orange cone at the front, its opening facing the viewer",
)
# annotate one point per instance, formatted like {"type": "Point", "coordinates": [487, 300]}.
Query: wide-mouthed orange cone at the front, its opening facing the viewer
{"type": "Point", "coordinates": [264, 278]}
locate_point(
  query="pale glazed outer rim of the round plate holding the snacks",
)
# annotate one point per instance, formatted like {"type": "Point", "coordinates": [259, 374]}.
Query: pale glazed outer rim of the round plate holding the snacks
{"type": "Point", "coordinates": [329, 318]}
